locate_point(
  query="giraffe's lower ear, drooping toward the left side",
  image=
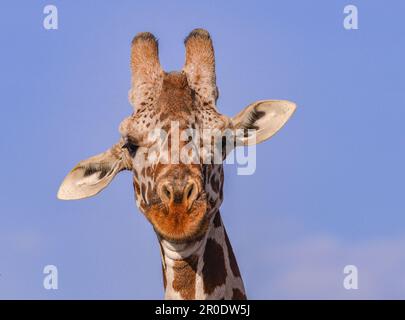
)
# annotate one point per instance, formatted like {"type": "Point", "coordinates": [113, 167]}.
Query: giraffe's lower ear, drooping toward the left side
{"type": "Point", "coordinates": [92, 175]}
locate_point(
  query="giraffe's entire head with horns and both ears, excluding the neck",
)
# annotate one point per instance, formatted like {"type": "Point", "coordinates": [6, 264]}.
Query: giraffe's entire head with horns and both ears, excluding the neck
{"type": "Point", "coordinates": [170, 142]}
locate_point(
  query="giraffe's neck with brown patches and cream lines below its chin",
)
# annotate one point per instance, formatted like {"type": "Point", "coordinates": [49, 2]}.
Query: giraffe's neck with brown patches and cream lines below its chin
{"type": "Point", "coordinates": [204, 269]}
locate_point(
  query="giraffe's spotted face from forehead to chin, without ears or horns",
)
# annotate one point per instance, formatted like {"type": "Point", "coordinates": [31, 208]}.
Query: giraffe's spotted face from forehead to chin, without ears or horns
{"type": "Point", "coordinates": [176, 187]}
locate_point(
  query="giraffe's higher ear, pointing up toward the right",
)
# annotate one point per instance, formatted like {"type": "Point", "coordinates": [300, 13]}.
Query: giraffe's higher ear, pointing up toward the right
{"type": "Point", "coordinates": [264, 117]}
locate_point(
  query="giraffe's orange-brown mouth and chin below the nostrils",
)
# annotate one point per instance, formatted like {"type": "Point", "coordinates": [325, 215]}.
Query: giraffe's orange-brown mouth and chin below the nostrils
{"type": "Point", "coordinates": [178, 223]}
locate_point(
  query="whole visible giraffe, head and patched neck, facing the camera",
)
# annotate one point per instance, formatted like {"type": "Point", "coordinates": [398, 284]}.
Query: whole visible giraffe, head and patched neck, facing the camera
{"type": "Point", "coordinates": [180, 199]}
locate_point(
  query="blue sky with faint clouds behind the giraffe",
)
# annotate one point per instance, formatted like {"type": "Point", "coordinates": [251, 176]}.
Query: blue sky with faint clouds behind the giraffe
{"type": "Point", "coordinates": [328, 189]}
